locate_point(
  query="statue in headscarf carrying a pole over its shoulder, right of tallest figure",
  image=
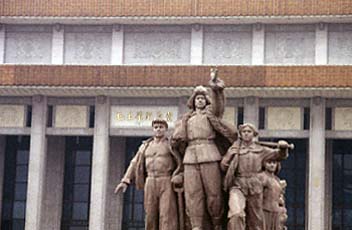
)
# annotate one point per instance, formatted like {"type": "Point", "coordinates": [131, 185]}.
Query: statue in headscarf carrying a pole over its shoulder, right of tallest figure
{"type": "Point", "coordinates": [243, 164]}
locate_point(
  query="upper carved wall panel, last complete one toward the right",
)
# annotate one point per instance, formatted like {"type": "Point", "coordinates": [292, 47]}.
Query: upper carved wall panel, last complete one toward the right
{"type": "Point", "coordinates": [290, 44]}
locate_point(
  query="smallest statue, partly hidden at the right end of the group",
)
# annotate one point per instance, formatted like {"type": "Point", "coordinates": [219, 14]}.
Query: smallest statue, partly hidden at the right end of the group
{"type": "Point", "coordinates": [275, 212]}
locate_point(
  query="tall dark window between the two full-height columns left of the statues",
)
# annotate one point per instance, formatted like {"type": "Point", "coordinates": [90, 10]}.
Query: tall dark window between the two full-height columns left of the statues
{"type": "Point", "coordinates": [78, 162]}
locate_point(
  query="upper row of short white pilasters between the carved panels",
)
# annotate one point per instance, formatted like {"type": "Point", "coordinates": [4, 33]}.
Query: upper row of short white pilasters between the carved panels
{"type": "Point", "coordinates": [258, 45]}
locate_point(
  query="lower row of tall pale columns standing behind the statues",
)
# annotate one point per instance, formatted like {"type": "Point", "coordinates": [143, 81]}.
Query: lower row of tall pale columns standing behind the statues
{"type": "Point", "coordinates": [44, 201]}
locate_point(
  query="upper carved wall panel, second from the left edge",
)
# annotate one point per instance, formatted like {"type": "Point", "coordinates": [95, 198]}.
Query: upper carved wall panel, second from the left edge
{"type": "Point", "coordinates": [87, 45]}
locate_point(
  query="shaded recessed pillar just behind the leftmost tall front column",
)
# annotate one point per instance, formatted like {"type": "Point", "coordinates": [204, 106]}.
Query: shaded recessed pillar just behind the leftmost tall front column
{"type": "Point", "coordinates": [54, 181]}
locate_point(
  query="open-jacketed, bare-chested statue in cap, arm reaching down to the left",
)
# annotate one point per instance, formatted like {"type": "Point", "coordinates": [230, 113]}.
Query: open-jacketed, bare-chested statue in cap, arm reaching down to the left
{"type": "Point", "coordinates": [151, 169]}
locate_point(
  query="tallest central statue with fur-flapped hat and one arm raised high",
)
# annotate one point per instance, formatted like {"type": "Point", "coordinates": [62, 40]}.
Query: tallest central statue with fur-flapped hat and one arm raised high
{"type": "Point", "coordinates": [201, 137]}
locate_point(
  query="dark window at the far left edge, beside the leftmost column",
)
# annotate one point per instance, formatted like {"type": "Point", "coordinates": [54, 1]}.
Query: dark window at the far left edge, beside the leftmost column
{"type": "Point", "coordinates": [15, 183]}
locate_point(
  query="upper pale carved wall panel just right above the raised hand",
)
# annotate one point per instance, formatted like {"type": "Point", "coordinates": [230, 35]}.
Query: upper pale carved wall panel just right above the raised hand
{"type": "Point", "coordinates": [227, 44]}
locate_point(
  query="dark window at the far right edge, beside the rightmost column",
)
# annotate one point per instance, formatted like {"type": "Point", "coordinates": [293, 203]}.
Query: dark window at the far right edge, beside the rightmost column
{"type": "Point", "coordinates": [342, 185]}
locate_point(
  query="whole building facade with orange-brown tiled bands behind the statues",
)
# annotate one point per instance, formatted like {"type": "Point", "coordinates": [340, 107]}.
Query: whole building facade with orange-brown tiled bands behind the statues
{"type": "Point", "coordinates": [80, 82]}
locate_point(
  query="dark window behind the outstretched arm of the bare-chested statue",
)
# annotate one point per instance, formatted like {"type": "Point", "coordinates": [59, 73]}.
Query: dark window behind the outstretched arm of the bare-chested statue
{"type": "Point", "coordinates": [133, 210]}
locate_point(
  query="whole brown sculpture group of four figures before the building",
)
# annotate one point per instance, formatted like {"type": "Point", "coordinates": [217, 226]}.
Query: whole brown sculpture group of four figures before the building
{"type": "Point", "coordinates": [208, 175]}
